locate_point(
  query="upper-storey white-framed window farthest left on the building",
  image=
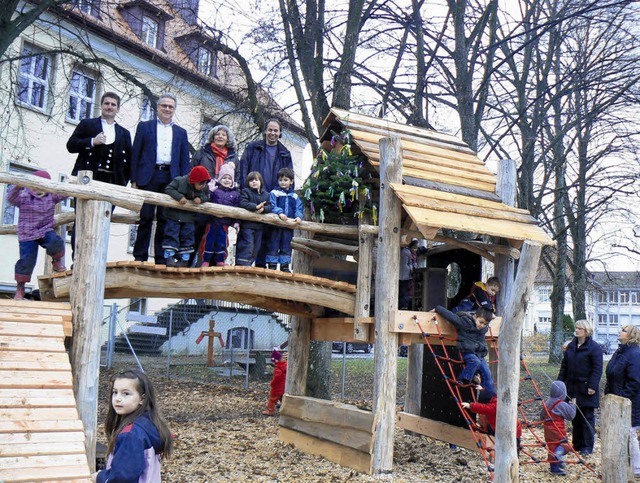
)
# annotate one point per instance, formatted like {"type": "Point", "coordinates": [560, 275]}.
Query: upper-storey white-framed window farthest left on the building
{"type": "Point", "coordinates": [35, 73]}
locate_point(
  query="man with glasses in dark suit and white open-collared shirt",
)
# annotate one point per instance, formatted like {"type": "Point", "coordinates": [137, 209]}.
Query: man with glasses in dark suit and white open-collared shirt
{"type": "Point", "coordinates": [160, 154]}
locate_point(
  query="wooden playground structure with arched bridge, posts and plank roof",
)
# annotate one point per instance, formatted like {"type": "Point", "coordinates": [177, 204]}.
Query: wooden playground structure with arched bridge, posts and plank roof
{"type": "Point", "coordinates": [430, 186]}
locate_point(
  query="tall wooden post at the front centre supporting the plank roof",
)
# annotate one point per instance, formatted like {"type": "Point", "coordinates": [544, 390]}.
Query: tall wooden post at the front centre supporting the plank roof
{"type": "Point", "coordinates": [386, 287]}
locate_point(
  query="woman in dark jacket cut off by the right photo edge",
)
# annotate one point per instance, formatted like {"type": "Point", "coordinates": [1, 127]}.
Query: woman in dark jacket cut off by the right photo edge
{"type": "Point", "coordinates": [623, 379]}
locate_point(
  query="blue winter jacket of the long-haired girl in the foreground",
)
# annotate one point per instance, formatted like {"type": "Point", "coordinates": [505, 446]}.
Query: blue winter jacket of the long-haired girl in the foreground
{"type": "Point", "coordinates": [136, 455]}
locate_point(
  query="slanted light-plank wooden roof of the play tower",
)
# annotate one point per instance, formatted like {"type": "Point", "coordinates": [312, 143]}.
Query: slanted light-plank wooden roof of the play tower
{"type": "Point", "coordinates": [444, 183]}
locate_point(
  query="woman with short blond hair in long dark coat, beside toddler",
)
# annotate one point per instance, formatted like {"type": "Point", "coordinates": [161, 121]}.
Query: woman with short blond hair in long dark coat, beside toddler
{"type": "Point", "coordinates": [581, 371]}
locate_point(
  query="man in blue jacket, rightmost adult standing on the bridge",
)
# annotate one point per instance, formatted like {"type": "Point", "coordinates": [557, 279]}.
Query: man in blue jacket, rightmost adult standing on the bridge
{"type": "Point", "coordinates": [267, 156]}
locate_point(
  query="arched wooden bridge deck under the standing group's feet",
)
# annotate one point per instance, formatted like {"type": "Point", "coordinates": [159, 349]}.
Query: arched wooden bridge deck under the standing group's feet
{"type": "Point", "coordinates": [289, 293]}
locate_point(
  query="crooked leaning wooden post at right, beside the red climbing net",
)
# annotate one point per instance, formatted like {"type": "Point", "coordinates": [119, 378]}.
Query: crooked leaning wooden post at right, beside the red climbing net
{"type": "Point", "coordinates": [506, 468]}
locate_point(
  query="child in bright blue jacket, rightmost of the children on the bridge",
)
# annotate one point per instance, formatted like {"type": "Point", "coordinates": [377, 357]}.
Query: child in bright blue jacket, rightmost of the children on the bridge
{"type": "Point", "coordinates": [286, 204]}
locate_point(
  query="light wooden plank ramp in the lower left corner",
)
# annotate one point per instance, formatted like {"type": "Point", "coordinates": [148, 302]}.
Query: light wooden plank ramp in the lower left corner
{"type": "Point", "coordinates": [41, 435]}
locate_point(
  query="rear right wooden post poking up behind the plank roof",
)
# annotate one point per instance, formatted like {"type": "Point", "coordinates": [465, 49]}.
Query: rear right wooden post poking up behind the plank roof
{"type": "Point", "coordinates": [504, 266]}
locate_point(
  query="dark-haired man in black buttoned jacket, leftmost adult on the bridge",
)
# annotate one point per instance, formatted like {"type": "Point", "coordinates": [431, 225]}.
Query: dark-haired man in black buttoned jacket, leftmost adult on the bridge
{"type": "Point", "coordinates": [103, 146]}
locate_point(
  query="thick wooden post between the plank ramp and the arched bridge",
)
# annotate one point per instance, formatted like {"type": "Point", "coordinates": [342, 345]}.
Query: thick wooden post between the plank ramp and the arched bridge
{"type": "Point", "coordinates": [93, 219]}
